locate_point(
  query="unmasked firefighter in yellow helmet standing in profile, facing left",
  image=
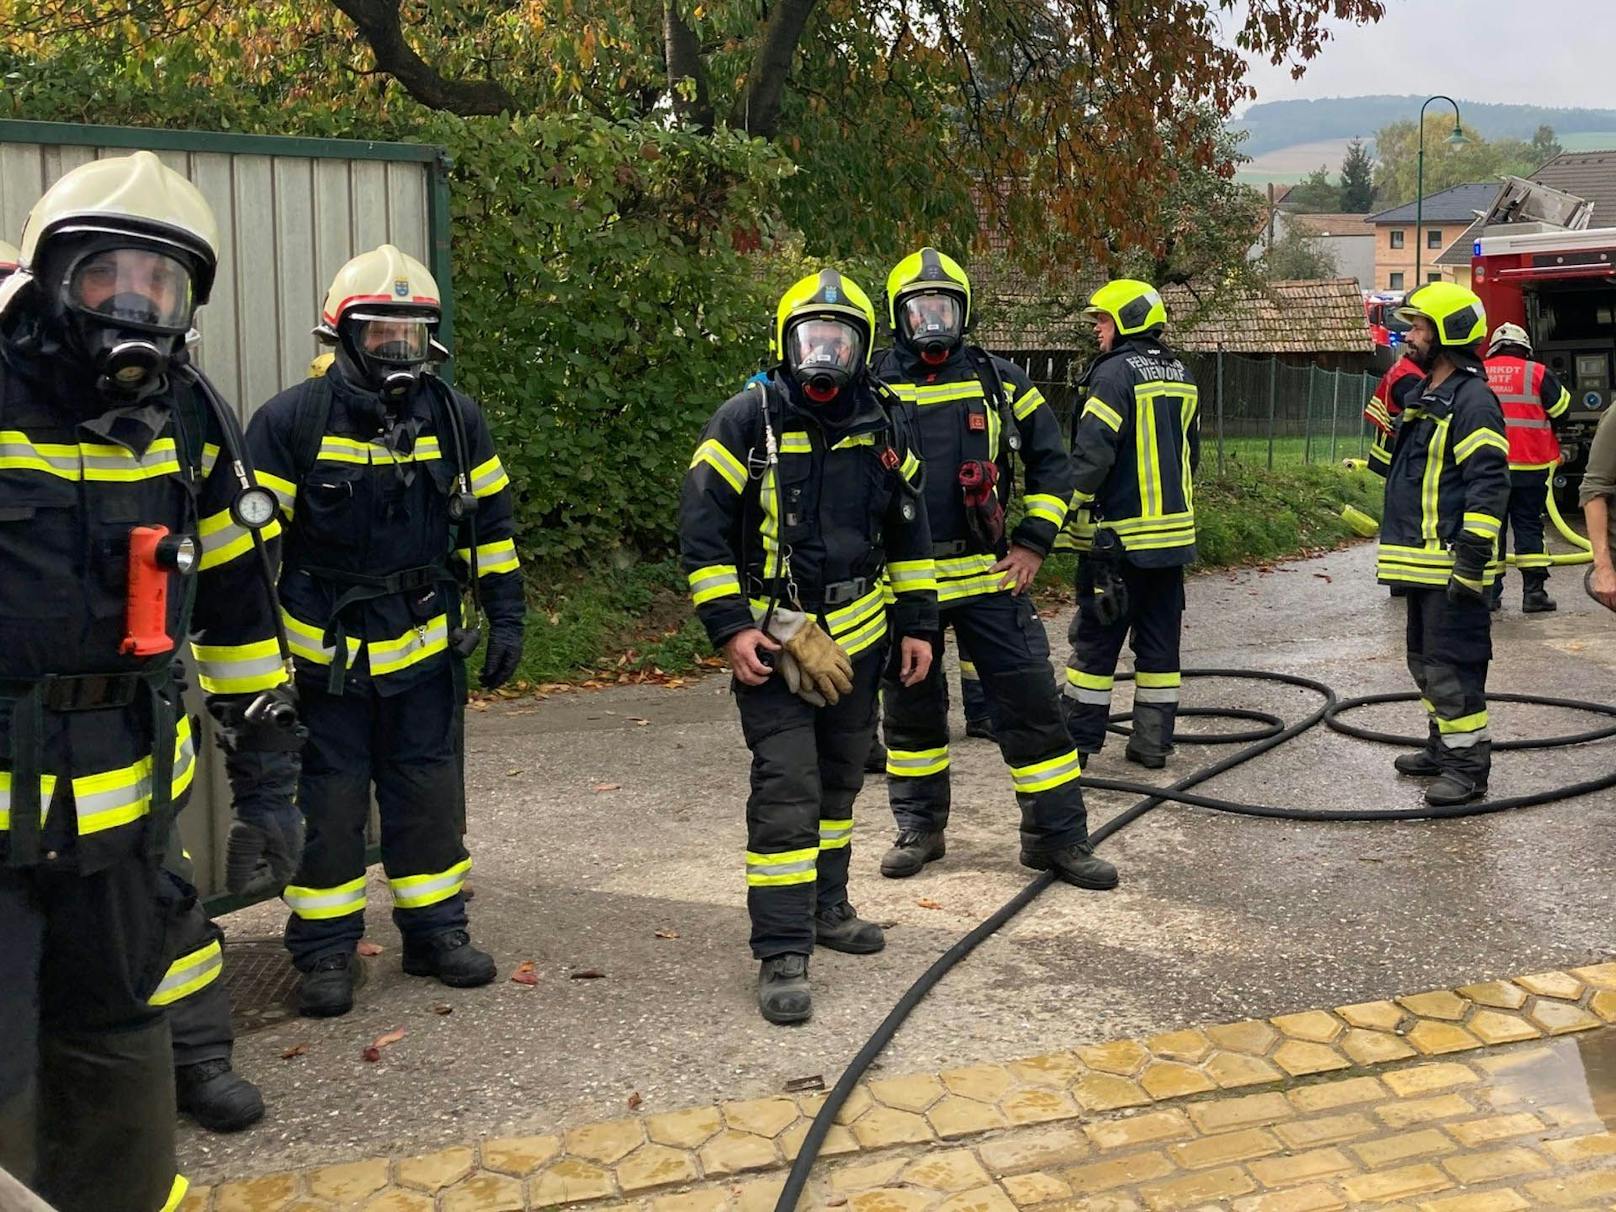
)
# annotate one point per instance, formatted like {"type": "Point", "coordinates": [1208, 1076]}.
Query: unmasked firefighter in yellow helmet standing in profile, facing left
{"type": "Point", "coordinates": [1447, 490]}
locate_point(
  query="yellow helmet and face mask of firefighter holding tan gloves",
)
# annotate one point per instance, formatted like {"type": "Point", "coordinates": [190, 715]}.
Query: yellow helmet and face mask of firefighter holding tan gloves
{"type": "Point", "coordinates": [825, 334]}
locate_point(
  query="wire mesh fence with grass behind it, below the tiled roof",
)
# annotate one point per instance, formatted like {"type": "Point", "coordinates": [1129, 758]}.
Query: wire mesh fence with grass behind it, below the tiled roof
{"type": "Point", "coordinates": [1256, 411]}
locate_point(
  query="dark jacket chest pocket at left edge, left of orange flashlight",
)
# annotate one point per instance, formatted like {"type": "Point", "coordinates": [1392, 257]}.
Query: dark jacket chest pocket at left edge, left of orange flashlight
{"type": "Point", "coordinates": [40, 544]}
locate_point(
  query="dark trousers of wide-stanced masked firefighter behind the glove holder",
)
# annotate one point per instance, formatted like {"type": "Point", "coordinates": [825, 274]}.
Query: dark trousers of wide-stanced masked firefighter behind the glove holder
{"type": "Point", "coordinates": [1011, 652]}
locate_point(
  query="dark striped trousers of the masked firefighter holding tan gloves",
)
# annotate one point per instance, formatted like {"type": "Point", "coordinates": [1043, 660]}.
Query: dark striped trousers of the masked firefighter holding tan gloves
{"type": "Point", "coordinates": [807, 768]}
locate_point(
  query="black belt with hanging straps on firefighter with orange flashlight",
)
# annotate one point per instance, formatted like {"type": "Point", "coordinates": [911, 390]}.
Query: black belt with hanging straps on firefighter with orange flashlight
{"type": "Point", "coordinates": [57, 694]}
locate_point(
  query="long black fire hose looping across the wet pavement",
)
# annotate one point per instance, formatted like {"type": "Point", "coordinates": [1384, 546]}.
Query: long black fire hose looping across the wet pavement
{"type": "Point", "coordinates": [1260, 741]}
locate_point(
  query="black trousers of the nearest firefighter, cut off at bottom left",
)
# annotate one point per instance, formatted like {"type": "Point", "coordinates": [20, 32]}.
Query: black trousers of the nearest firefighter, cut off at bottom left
{"type": "Point", "coordinates": [86, 1080]}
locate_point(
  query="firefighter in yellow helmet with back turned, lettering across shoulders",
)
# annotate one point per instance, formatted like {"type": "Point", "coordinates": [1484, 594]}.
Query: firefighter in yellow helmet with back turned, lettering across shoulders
{"type": "Point", "coordinates": [1135, 447]}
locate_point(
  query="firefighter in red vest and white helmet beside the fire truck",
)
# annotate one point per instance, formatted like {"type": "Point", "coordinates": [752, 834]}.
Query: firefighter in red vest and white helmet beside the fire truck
{"type": "Point", "coordinates": [1531, 398]}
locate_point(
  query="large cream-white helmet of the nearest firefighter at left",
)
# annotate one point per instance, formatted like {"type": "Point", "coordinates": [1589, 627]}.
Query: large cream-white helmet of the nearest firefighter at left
{"type": "Point", "coordinates": [128, 196]}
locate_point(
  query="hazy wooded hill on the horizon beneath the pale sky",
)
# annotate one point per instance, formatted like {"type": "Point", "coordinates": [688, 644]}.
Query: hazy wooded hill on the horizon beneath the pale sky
{"type": "Point", "coordinates": [1276, 125]}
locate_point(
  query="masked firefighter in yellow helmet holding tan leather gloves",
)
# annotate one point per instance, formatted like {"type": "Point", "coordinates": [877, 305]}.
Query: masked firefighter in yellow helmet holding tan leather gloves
{"type": "Point", "coordinates": [799, 515]}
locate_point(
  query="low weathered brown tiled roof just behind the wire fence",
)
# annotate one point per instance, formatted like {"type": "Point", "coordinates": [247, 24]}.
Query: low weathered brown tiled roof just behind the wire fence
{"type": "Point", "coordinates": [1287, 318]}
